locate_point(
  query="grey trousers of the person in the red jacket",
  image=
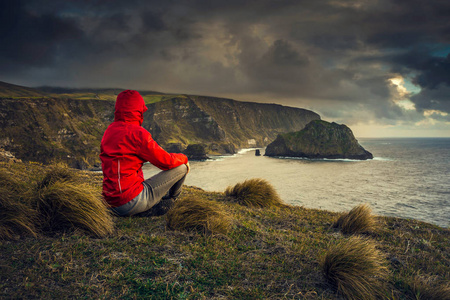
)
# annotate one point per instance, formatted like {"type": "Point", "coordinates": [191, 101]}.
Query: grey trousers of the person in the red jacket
{"type": "Point", "coordinates": [165, 186]}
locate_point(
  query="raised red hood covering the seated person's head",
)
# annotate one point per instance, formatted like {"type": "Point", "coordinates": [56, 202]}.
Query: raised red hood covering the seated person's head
{"type": "Point", "coordinates": [130, 107]}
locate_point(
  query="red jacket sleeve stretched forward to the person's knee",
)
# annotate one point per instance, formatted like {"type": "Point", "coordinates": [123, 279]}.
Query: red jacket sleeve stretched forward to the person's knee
{"type": "Point", "coordinates": [157, 156]}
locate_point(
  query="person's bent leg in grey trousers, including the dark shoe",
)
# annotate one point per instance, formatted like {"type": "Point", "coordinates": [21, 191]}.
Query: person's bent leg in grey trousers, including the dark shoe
{"type": "Point", "coordinates": [159, 192]}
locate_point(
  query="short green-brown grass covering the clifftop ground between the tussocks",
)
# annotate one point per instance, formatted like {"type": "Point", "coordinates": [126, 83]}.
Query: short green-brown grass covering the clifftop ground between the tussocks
{"type": "Point", "coordinates": [268, 253]}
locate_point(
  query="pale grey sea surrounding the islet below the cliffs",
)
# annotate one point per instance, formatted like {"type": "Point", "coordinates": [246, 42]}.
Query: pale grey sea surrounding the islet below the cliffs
{"type": "Point", "coordinates": [408, 178]}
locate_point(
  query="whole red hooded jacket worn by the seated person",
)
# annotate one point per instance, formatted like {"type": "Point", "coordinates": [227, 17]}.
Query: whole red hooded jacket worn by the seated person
{"type": "Point", "coordinates": [126, 146]}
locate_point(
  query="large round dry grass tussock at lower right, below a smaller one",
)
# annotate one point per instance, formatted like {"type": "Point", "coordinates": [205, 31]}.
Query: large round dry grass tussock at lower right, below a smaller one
{"type": "Point", "coordinates": [355, 268]}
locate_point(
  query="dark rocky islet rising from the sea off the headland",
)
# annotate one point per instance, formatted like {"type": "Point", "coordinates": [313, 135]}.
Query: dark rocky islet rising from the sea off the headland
{"type": "Point", "coordinates": [319, 139]}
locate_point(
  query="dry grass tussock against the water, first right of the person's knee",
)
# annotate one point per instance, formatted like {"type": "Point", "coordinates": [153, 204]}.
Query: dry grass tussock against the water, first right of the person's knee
{"type": "Point", "coordinates": [254, 193]}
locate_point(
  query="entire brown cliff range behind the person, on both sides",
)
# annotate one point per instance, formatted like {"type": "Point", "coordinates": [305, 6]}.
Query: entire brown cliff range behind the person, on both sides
{"type": "Point", "coordinates": [46, 129]}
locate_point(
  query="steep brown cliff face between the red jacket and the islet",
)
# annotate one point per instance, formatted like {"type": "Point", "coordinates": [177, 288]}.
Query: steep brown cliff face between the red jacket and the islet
{"type": "Point", "coordinates": [222, 124]}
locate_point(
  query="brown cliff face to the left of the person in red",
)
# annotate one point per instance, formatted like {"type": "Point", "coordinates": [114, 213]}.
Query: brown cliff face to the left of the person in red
{"type": "Point", "coordinates": [54, 130]}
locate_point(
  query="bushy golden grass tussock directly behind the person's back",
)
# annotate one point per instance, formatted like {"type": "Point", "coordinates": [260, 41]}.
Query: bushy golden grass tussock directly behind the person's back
{"type": "Point", "coordinates": [65, 204]}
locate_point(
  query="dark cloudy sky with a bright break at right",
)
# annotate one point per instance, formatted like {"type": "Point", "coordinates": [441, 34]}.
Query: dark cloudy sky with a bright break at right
{"type": "Point", "coordinates": [382, 67]}
